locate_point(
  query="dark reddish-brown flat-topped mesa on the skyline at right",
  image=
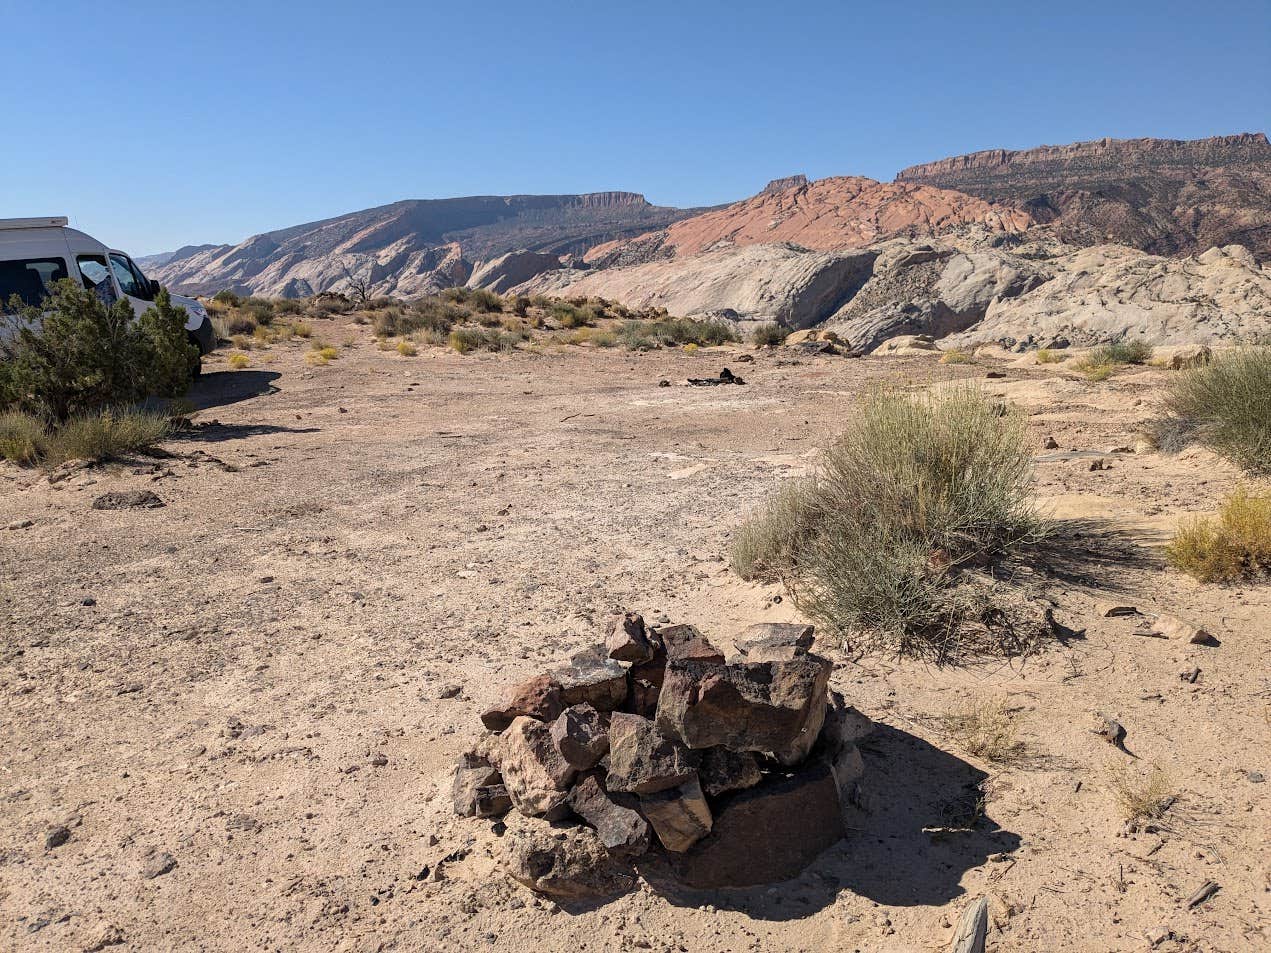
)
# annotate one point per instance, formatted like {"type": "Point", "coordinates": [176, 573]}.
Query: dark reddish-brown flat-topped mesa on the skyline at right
{"type": "Point", "coordinates": [1164, 196]}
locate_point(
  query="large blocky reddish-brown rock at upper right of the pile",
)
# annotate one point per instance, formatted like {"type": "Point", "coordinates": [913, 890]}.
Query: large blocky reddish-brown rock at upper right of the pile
{"type": "Point", "coordinates": [761, 707]}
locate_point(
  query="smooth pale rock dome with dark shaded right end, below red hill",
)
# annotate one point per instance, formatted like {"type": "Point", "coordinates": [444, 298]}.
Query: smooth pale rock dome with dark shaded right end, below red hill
{"type": "Point", "coordinates": [761, 283]}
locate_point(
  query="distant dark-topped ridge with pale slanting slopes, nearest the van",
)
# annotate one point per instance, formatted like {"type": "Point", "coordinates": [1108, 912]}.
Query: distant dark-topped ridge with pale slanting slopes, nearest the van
{"type": "Point", "coordinates": [411, 248]}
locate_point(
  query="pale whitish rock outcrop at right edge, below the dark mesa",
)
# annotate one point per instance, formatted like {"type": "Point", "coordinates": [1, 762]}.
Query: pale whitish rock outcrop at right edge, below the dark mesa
{"type": "Point", "coordinates": [1110, 293]}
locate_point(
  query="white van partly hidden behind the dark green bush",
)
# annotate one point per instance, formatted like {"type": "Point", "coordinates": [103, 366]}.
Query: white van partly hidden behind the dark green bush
{"type": "Point", "coordinates": [37, 252]}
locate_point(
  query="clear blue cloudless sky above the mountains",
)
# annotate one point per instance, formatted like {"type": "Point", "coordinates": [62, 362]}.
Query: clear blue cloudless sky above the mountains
{"type": "Point", "coordinates": [156, 125]}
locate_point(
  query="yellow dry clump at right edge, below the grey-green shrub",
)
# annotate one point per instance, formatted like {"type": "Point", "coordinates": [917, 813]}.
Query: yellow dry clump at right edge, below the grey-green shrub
{"type": "Point", "coordinates": [1235, 546]}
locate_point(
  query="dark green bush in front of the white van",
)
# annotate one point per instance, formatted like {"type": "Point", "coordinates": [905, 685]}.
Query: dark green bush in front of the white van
{"type": "Point", "coordinates": [74, 354]}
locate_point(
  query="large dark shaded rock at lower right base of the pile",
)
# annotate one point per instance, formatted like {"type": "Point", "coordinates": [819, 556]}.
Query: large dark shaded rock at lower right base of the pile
{"type": "Point", "coordinates": [768, 834]}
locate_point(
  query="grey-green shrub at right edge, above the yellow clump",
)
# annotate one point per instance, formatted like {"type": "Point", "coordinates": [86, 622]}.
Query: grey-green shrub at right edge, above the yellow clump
{"type": "Point", "coordinates": [1225, 406]}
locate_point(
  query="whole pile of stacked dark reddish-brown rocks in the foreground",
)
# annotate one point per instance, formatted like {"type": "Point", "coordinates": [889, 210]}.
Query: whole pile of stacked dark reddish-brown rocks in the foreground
{"type": "Point", "coordinates": [739, 771]}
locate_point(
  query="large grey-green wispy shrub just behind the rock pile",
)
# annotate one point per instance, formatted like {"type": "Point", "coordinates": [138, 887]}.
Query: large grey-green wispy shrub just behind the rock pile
{"type": "Point", "coordinates": [914, 490]}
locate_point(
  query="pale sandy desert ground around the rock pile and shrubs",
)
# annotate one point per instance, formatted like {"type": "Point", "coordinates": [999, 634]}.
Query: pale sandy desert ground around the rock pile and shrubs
{"type": "Point", "coordinates": [252, 682]}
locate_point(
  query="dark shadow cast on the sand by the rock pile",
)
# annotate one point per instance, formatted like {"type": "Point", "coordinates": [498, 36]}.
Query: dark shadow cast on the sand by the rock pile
{"type": "Point", "coordinates": [909, 785]}
